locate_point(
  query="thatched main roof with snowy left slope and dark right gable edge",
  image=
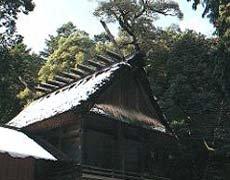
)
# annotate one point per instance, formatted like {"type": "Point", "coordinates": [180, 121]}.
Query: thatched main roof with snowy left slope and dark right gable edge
{"type": "Point", "coordinates": [77, 93]}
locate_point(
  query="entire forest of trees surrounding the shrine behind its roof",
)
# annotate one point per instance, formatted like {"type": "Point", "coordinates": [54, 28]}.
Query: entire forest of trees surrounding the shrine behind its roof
{"type": "Point", "coordinates": [189, 73]}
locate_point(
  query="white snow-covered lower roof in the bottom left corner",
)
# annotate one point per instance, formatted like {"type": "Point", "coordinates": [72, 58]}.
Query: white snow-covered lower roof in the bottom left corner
{"type": "Point", "coordinates": [19, 145]}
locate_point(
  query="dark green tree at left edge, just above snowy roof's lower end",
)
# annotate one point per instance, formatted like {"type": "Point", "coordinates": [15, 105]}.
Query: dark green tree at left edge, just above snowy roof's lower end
{"type": "Point", "coordinates": [17, 74]}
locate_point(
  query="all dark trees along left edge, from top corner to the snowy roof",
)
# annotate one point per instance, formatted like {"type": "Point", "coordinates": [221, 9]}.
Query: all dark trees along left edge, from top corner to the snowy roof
{"type": "Point", "coordinates": [18, 67]}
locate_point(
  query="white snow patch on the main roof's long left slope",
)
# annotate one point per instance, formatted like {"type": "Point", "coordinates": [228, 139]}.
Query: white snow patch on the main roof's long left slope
{"type": "Point", "coordinates": [63, 99]}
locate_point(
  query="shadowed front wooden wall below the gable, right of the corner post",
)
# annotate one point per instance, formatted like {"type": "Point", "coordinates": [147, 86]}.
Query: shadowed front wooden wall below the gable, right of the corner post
{"type": "Point", "coordinates": [112, 144]}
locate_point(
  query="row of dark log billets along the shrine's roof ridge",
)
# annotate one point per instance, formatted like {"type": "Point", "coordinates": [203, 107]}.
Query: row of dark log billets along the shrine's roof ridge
{"type": "Point", "coordinates": [83, 69]}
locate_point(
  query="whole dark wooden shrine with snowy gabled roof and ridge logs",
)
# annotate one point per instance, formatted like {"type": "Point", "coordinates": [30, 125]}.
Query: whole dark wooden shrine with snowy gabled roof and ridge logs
{"type": "Point", "coordinates": [103, 118]}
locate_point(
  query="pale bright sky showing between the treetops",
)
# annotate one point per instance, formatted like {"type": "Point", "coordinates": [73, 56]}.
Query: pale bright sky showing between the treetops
{"type": "Point", "coordinates": [48, 15]}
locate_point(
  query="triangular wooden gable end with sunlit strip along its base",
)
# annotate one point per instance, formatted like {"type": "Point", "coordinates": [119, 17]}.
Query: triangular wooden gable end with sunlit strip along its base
{"type": "Point", "coordinates": [126, 99]}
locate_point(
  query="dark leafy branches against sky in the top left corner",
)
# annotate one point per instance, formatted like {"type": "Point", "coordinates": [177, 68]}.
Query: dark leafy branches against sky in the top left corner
{"type": "Point", "coordinates": [8, 16]}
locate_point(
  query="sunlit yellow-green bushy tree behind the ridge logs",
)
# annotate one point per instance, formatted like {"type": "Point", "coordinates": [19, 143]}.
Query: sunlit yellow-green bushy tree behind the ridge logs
{"type": "Point", "coordinates": [70, 47]}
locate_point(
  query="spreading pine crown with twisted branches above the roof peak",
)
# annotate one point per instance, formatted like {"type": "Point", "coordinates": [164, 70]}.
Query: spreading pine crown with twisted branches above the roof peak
{"type": "Point", "coordinates": [136, 17]}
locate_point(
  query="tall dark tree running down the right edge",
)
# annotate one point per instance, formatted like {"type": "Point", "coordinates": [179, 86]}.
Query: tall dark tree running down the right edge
{"type": "Point", "coordinates": [219, 14]}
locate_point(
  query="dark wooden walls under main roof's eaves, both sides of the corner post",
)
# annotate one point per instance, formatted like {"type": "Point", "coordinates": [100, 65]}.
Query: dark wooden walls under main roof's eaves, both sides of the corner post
{"type": "Point", "coordinates": [108, 143]}
